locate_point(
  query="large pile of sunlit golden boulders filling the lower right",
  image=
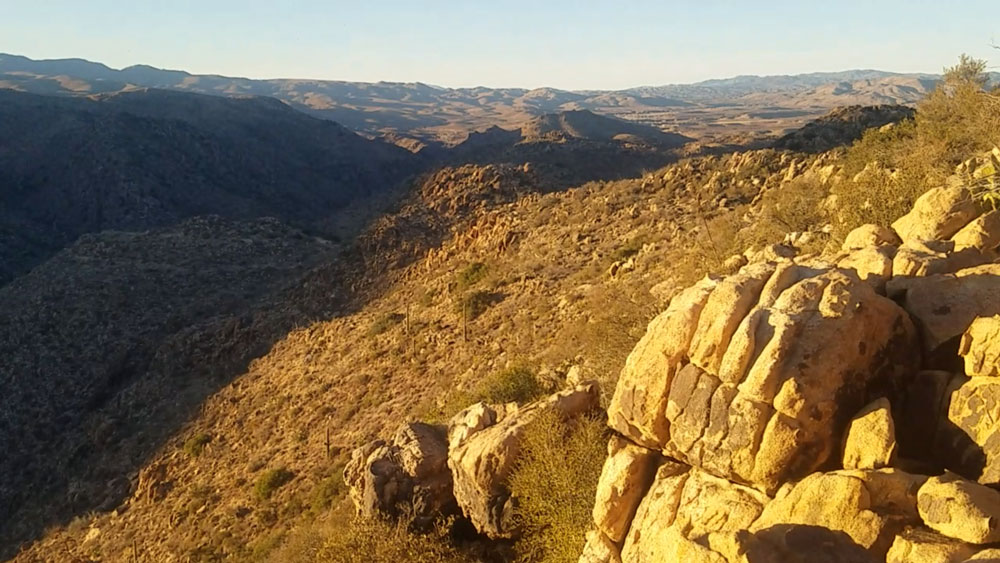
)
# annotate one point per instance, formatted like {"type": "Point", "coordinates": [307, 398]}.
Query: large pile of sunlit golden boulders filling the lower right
{"type": "Point", "coordinates": [806, 409]}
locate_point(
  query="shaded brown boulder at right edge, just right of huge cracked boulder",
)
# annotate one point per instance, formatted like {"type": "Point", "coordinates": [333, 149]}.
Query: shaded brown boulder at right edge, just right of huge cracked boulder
{"type": "Point", "coordinates": [944, 306]}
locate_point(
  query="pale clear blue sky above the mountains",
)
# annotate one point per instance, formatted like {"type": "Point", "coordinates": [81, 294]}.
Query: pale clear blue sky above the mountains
{"type": "Point", "coordinates": [563, 44]}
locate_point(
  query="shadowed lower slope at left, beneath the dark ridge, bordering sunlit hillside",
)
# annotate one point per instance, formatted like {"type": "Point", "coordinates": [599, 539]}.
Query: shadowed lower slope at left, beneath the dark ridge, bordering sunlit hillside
{"type": "Point", "coordinates": [112, 344]}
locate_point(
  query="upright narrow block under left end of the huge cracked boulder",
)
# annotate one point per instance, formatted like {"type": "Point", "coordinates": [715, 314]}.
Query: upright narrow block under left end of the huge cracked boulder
{"type": "Point", "coordinates": [627, 473]}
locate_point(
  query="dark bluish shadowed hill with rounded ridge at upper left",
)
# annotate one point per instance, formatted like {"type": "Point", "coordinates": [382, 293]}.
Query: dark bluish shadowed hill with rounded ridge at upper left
{"type": "Point", "coordinates": [145, 159]}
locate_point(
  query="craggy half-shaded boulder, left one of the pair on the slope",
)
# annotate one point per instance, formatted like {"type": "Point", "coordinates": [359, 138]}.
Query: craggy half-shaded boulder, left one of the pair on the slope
{"type": "Point", "coordinates": [406, 474]}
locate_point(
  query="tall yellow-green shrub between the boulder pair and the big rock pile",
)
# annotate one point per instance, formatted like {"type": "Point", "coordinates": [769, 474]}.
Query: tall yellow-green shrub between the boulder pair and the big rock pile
{"type": "Point", "coordinates": [555, 481]}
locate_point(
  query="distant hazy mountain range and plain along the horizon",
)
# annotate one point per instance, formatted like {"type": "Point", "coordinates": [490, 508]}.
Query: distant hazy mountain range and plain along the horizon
{"type": "Point", "coordinates": [769, 104]}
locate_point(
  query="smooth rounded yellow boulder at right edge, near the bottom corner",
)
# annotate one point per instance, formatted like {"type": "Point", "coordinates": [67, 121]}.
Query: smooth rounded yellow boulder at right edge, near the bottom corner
{"type": "Point", "coordinates": [960, 509]}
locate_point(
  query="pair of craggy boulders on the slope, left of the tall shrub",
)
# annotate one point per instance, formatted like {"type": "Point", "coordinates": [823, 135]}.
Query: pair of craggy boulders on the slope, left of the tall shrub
{"type": "Point", "coordinates": [426, 471]}
